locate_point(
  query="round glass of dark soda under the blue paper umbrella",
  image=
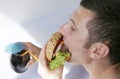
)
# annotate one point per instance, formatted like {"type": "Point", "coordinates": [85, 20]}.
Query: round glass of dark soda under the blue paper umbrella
{"type": "Point", "coordinates": [18, 62]}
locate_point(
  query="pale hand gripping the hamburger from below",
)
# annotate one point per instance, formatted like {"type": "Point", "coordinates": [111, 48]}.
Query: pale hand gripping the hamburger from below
{"type": "Point", "coordinates": [43, 69]}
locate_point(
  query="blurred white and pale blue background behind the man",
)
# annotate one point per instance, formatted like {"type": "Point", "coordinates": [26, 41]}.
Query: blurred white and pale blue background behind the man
{"type": "Point", "coordinates": [30, 21]}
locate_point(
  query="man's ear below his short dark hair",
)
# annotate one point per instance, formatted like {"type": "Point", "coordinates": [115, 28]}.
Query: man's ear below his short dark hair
{"type": "Point", "coordinates": [99, 50]}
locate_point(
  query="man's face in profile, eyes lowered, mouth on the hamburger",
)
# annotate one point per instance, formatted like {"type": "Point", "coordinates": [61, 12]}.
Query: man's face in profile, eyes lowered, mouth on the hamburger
{"type": "Point", "coordinates": [75, 34]}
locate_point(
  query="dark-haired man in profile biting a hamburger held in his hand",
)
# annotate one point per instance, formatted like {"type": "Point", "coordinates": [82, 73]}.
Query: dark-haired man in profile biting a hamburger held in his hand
{"type": "Point", "coordinates": [92, 35]}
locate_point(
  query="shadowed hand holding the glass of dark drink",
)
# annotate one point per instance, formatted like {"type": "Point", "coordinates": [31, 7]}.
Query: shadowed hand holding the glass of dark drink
{"type": "Point", "coordinates": [34, 50]}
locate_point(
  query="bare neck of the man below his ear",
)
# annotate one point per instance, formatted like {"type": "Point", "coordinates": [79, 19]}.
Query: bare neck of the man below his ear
{"type": "Point", "coordinates": [100, 70]}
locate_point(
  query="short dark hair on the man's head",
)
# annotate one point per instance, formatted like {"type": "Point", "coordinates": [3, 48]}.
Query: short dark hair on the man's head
{"type": "Point", "coordinates": [105, 27]}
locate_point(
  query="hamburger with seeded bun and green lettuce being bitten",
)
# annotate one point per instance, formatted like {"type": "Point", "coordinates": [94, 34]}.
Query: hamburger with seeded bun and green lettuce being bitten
{"type": "Point", "coordinates": [56, 51]}
